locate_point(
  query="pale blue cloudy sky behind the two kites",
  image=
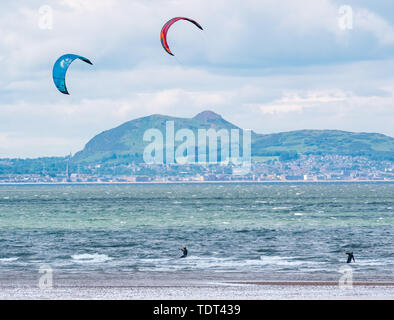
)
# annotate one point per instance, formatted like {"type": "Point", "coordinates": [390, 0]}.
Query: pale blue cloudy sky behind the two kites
{"type": "Point", "coordinates": [265, 65]}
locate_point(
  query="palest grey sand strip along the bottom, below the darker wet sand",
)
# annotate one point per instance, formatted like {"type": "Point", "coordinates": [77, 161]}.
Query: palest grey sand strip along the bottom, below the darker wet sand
{"type": "Point", "coordinates": [214, 292]}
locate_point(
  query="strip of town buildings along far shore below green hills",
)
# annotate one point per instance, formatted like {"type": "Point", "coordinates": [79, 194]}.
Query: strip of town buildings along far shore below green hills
{"type": "Point", "coordinates": [308, 168]}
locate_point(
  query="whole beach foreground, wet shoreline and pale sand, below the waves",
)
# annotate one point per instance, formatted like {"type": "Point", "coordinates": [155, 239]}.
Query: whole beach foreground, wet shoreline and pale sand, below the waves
{"type": "Point", "coordinates": [157, 287]}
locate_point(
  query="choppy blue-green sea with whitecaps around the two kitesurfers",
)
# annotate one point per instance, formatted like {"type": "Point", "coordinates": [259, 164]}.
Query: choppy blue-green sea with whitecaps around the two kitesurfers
{"type": "Point", "coordinates": [277, 229]}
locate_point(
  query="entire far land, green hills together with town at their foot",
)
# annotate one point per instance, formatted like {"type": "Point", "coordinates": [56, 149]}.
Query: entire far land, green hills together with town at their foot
{"type": "Point", "coordinates": [119, 155]}
